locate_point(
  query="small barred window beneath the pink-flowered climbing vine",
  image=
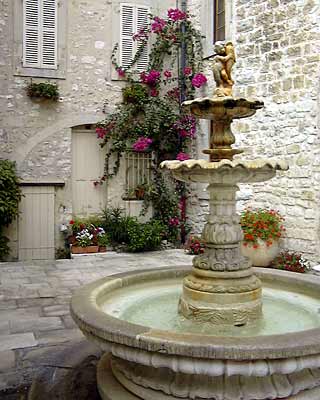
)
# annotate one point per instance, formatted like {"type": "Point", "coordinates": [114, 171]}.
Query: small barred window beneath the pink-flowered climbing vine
{"type": "Point", "coordinates": [138, 173]}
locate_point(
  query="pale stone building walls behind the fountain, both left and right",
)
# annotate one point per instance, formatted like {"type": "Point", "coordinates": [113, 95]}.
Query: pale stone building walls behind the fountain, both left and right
{"type": "Point", "coordinates": [278, 47]}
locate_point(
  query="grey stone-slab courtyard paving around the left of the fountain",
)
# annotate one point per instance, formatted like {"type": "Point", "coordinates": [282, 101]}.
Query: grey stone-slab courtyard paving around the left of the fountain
{"type": "Point", "coordinates": [34, 305]}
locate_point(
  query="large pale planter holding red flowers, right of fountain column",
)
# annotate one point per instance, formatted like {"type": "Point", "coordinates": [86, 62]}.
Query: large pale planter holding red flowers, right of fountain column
{"type": "Point", "coordinates": [263, 255]}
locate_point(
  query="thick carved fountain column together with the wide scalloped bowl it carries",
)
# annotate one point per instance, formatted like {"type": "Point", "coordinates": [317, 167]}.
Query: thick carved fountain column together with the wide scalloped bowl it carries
{"type": "Point", "coordinates": [222, 288]}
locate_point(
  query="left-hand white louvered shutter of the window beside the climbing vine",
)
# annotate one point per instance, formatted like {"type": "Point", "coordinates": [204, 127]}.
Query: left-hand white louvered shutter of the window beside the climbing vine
{"type": "Point", "coordinates": [127, 17]}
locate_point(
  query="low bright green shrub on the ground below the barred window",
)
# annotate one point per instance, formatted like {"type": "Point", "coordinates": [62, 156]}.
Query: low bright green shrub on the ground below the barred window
{"type": "Point", "coordinates": [145, 237]}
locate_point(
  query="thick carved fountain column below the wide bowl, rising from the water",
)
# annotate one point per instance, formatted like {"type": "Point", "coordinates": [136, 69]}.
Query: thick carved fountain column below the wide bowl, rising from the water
{"type": "Point", "coordinates": [221, 288]}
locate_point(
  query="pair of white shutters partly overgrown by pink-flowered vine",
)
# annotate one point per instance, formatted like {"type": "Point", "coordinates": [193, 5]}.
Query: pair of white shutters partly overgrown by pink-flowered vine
{"type": "Point", "coordinates": [133, 18]}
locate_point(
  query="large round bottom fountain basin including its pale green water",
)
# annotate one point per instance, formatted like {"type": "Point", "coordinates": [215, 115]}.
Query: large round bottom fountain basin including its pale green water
{"type": "Point", "coordinates": [191, 363]}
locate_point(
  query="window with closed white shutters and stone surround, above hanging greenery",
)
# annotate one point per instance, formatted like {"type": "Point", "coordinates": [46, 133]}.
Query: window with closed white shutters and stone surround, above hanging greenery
{"type": "Point", "coordinates": [40, 38]}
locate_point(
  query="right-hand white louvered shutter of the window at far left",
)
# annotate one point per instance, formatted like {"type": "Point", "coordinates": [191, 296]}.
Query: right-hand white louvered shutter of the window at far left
{"type": "Point", "coordinates": [49, 34]}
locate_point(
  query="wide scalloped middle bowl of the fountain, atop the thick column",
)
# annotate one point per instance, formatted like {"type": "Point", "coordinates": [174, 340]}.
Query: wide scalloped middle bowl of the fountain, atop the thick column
{"type": "Point", "coordinates": [225, 171]}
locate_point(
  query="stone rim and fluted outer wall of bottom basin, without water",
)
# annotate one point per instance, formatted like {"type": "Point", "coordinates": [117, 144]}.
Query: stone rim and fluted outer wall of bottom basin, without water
{"type": "Point", "coordinates": [153, 364]}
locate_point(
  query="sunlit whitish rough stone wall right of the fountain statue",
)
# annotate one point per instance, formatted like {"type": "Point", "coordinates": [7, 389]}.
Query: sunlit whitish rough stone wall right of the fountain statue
{"type": "Point", "coordinates": [278, 50]}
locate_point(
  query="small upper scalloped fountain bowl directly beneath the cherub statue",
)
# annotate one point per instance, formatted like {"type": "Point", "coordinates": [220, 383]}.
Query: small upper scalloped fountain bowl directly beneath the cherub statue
{"type": "Point", "coordinates": [219, 108]}
